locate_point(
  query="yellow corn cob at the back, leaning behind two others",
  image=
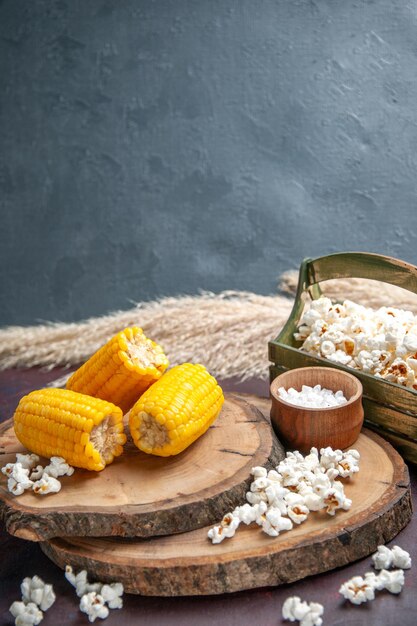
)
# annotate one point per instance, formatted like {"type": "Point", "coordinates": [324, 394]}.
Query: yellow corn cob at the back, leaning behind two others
{"type": "Point", "coordinates": [122, 369]}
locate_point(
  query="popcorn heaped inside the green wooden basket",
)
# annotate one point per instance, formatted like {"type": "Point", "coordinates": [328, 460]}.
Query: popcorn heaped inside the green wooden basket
{"type": "Point", "coordinates": [381, 342]}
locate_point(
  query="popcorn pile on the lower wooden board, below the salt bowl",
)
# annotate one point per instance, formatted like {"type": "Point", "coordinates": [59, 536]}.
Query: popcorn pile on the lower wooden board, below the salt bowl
{"type": "Point", "coordinates": [284, 496]}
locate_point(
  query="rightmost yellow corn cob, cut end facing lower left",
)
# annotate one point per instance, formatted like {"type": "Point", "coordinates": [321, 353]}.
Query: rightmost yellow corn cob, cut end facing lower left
{"type": "Point", "coordinates": [176, 410]}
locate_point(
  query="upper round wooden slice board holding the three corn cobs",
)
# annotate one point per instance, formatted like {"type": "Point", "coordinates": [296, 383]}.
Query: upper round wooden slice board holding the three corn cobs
{"type": "Point", "coordinates": [140, 495]}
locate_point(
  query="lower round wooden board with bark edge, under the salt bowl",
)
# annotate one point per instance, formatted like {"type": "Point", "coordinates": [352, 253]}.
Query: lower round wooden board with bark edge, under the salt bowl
{"type": "Point", "coordinates": [189, 564]}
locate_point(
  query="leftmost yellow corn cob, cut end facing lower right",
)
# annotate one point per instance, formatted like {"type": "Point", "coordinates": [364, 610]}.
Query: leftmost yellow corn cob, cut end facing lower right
{"type": "Point", "coordinates": [87, 432]}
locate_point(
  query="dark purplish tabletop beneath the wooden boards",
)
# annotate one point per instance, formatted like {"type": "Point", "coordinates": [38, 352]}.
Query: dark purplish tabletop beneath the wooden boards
{"type": "Point", "coordinates": [260, 607]}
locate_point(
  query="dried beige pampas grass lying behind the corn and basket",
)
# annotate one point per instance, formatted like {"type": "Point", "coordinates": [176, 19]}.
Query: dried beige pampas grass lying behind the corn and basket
{"type": "Point", "coordinates": [228, 332]}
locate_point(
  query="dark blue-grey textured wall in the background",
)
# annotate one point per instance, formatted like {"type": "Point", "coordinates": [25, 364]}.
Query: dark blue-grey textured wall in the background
{"type": "Point", "coordinates": [155, 148]}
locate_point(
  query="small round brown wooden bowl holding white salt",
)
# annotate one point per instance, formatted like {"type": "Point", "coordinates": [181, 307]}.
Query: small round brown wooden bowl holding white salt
{"type": "Point", "coordinates": [300, 428]}
